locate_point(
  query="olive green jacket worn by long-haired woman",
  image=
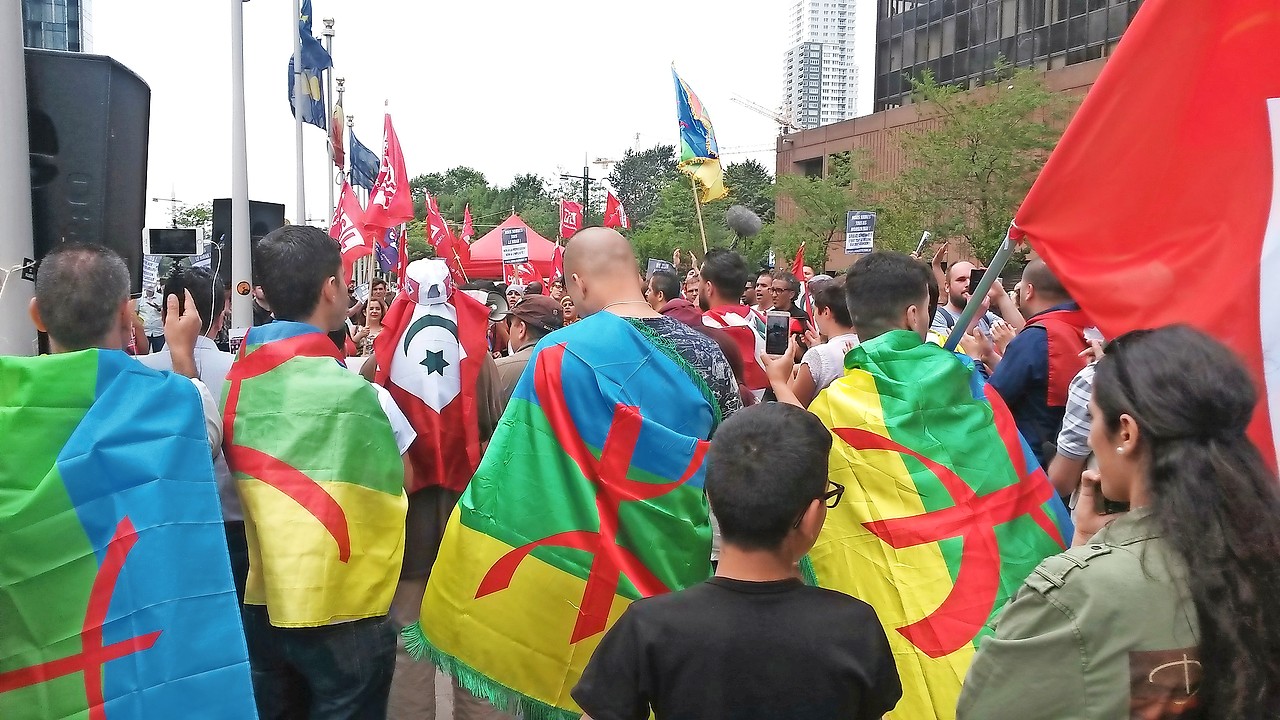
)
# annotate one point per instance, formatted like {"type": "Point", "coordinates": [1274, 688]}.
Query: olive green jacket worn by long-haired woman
{"type": "Point", "coordinates": [1105, 631]}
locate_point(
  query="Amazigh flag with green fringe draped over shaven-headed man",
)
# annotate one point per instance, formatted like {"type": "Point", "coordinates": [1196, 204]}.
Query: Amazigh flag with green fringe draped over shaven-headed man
{"type": "Point", "coordinates": [591, 496]}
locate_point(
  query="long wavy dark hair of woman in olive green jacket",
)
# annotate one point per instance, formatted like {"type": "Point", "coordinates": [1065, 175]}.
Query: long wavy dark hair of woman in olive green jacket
{"type": "Point", "coordinates": [1214, 498]}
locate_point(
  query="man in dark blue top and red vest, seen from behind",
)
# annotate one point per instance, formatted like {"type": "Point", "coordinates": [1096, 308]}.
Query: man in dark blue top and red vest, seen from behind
{"type": "Point", "coordinates": [1037, 368]}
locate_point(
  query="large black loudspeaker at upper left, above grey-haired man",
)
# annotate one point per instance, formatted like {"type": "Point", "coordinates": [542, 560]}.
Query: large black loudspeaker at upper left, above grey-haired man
{"type": "Point", "coordinates": [89, 119]}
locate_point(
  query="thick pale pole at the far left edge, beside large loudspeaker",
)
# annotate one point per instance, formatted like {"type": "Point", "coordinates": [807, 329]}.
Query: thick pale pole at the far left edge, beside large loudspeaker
{"type": "Point", "coordinates": [17, 332]}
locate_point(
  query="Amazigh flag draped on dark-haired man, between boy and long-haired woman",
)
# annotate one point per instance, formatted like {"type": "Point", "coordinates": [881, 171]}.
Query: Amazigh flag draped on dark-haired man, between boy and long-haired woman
{"type": "Point", "coordinates": [945, 514]}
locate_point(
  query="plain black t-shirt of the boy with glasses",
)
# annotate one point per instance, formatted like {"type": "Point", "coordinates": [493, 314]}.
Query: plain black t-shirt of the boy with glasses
{"type": "Point", "coordinates": [734, 650]}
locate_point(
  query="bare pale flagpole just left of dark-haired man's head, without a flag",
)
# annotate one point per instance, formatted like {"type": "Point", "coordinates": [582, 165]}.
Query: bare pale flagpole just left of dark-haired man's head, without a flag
{"type": "Point", "coordinates": [243, 250]}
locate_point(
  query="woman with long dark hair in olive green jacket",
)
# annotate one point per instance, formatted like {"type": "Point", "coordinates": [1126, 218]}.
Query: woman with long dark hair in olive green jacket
{"type": "Point", "coordinates": [1173, 610]}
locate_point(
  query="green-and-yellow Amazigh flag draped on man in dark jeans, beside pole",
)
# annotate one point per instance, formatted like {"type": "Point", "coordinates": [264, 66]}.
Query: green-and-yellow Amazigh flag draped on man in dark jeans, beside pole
{"type": "Point", "coordinates": [321, 476]}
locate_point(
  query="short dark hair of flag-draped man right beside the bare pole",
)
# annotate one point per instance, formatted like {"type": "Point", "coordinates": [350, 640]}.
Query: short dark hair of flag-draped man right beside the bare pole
{"type": "Point", "coordinates": [294, 263]}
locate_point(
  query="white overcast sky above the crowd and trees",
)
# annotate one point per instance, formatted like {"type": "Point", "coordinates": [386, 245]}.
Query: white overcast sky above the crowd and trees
{"type": "Point", "coordinates": [504, 86]}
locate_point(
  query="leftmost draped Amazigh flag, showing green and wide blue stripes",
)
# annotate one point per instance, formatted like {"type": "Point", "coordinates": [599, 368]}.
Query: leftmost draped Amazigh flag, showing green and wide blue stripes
{"type": "Point", "coordinates": [116, 591]}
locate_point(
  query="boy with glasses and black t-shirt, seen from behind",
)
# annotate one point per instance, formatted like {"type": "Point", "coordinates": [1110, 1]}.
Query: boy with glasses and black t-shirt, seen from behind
{"type": "Point", "coordinates": [753, 642]}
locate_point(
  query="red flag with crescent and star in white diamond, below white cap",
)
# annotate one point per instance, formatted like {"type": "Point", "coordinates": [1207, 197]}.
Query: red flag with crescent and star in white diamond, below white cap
{"type": "Point", "coordinates": [429, 357]}
